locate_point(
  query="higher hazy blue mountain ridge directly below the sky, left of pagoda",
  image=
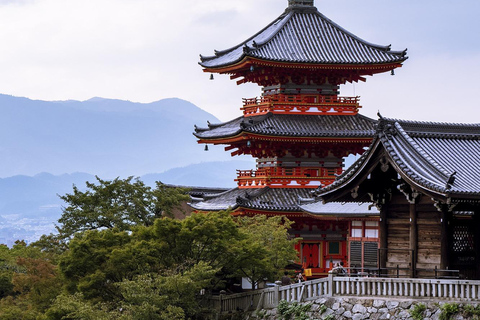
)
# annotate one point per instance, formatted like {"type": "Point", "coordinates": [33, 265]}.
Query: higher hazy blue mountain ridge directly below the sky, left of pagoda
{"type": "Point", "coordinates": [105, 137]}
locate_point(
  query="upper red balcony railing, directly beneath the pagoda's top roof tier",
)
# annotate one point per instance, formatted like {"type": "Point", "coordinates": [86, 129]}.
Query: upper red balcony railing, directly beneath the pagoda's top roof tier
{"type": "Point", "coordinates": [301, 104]}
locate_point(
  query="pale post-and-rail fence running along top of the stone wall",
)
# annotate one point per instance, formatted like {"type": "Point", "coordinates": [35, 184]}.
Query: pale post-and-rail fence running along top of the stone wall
{"type": "Point", "coordinates": [438, 289]}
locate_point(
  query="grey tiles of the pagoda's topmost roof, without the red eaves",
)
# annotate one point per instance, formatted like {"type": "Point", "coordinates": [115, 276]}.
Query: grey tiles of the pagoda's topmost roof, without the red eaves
{"type": "Point", "coordinates": [304, 35]}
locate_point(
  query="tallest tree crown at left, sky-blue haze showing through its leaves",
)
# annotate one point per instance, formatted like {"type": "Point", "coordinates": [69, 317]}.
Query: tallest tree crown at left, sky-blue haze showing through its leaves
{"type": "Point", "coordinates": [118, 203]}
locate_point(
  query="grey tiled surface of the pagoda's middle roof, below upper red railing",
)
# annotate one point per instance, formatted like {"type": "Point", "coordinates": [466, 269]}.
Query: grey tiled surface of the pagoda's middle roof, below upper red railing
{"type": "Point", "coordinates": [293, 126]}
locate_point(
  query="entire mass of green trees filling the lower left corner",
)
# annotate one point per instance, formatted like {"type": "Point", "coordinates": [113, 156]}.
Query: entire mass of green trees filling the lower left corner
{"type": "Point", "coordinates": [142, 264]}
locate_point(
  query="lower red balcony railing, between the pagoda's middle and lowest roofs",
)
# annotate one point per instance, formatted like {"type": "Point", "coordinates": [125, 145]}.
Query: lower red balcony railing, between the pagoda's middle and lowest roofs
{"type": "Point", "coordinates": [286, 177]}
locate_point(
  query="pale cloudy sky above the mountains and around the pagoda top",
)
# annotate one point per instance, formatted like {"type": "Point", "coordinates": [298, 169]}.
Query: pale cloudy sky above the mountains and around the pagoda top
{"type": "Point", "coordinates": [147, 50]}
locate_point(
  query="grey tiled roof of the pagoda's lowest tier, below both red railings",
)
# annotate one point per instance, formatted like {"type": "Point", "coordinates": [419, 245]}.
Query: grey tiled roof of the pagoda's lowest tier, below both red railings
{"type": "Point", "coordinates": [269, 199]}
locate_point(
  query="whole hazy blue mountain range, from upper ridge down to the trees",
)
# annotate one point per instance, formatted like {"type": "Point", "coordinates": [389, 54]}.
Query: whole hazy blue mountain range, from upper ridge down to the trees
{"type": "Point", "coordinates": [103, 137]}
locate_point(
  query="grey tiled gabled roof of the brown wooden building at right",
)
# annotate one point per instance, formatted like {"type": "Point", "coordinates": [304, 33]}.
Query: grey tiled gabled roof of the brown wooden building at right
{"type": "Point", "coordinates": [440, 158]}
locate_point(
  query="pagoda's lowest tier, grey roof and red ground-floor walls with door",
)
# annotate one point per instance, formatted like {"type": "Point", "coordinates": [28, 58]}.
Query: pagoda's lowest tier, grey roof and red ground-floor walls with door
{"type": "Point", "coordinates": [329, 233]}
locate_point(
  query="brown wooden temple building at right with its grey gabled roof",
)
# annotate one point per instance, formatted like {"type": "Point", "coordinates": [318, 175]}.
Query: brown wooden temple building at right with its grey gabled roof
{"type": "Point", "coordinates": [425, 180]}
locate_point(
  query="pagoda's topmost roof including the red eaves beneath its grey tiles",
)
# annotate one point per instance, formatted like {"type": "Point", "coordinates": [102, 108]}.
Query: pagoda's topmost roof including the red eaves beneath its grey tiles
{"type": "Point", "coordinates": [303, 46]}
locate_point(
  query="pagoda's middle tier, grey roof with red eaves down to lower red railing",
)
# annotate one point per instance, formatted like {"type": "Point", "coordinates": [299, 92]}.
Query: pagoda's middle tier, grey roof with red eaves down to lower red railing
{"type": "Point", "coordinates": [293, 151]}
